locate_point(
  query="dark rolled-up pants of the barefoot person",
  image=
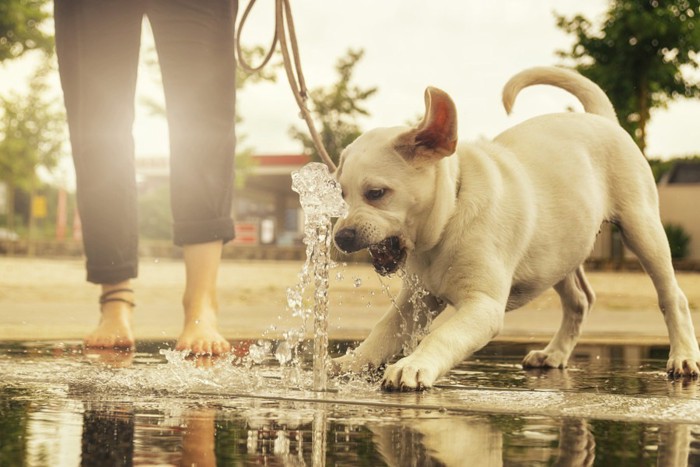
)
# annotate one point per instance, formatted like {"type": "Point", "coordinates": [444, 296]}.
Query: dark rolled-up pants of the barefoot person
{"type": "Point", "coordinates": [97, 43]}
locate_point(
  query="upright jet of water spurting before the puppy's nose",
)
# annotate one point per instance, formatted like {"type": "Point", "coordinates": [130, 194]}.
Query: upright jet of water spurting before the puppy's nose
{"type": "Point", "coordinates": [321, 199]}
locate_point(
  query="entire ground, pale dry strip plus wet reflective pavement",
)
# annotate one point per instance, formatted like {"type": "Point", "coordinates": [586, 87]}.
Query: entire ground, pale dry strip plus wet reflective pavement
{"type": "Point", "coordinates": [61, 406]}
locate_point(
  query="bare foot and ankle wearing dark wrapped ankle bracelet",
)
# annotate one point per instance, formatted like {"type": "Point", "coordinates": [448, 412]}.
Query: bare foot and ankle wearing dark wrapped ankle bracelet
{"type": "Point", "coordinates": [114, 329]}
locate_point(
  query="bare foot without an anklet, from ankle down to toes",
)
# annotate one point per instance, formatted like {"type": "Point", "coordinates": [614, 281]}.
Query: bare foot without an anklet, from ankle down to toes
{"type": "Point", "coordinates": [200, 334]}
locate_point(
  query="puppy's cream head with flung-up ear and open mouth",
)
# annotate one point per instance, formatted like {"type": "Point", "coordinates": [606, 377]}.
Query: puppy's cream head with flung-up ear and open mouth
{"type": "Point", "coordinates": [388, 180]}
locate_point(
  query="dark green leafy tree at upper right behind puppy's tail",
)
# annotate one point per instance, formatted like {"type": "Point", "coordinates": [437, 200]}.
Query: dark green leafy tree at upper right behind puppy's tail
{"type": "Point", "coordinates": [638, 55]}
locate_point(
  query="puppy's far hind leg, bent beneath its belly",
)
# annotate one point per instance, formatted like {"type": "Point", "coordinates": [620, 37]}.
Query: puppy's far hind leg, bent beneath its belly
{"type": "Point", "coordinates": [577, 299]}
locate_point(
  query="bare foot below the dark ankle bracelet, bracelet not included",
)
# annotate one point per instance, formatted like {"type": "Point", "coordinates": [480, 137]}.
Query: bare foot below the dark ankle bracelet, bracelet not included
{"type": "Point", "coordinates": [114, 330]}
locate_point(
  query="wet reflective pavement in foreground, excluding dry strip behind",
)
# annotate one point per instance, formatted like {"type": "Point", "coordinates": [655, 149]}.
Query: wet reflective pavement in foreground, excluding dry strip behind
{"type": "Point", "coordinates": [613, 406]}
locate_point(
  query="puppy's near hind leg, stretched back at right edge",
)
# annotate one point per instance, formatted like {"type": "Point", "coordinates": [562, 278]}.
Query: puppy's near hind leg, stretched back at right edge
{"type": "Point", "coordinates": [643, 233]}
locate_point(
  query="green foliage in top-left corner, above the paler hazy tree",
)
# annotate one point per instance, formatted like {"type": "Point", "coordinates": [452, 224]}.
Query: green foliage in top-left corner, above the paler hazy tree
{"type": "Point", "coordinates": [20, 31]}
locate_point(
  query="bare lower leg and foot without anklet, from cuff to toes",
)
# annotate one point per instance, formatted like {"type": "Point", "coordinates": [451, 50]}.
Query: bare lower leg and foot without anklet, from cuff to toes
{"type": "Point", "coordinates": [200, 334]}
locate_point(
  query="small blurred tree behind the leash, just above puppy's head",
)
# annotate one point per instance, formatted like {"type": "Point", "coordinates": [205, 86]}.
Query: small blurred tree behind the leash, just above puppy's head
{"type": "Point", "coordinates": [336, 109]}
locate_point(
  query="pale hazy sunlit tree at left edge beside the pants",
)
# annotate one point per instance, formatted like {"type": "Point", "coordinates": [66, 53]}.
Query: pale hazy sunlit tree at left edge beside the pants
{"type": "Point", "coordinates": [32, 132]}
